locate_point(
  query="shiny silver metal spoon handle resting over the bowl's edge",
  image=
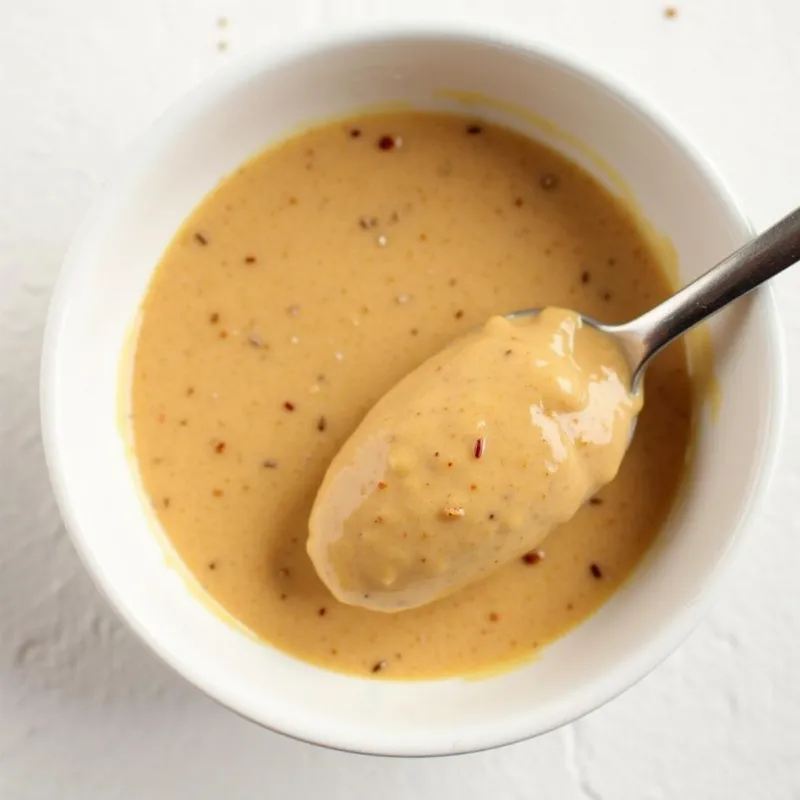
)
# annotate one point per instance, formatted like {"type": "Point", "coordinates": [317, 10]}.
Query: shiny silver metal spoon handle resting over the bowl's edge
{"type": "Point", "coordinates": [773, 251]}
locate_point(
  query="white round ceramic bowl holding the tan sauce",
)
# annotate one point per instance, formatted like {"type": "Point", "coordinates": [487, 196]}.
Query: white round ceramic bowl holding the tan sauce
{"type": "Point", "coordinates": [106, 272]}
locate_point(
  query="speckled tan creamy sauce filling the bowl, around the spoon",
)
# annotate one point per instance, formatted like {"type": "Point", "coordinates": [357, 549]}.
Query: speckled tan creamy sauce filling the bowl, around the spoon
{"type": "Point", "coordinates": [307, 285]}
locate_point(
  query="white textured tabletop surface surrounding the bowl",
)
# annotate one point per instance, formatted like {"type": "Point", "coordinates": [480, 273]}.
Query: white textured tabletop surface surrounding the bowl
{"type": "Point", "coordinates": [85, 711]}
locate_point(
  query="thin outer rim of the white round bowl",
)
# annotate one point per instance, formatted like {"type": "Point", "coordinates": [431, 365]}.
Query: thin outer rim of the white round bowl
{"type": "Point", "coordinates": [645, 657]}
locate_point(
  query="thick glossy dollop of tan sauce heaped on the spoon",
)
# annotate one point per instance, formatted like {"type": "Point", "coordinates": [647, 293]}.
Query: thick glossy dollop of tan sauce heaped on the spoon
{"type": "Point", "coordinates": [472, 460]}
